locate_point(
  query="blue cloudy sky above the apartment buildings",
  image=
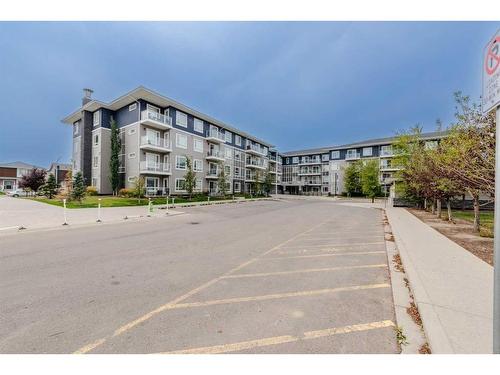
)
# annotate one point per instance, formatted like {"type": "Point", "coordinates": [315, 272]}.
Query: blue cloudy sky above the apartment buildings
{"type": "Point", "coordinates": [296, 85]}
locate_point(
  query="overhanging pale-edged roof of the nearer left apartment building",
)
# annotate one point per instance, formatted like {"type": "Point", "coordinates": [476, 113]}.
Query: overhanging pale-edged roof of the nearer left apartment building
{"type": "Point", "coordinates": [153, 97]}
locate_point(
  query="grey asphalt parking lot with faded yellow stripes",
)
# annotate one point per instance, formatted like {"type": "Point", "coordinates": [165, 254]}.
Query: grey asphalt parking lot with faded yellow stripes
{"type": "Point", "coordinates": [290, 276]}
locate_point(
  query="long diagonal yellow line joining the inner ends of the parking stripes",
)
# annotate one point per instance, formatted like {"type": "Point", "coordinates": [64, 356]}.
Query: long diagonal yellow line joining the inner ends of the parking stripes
{"type": "Point", "coordinates": [89, 347]}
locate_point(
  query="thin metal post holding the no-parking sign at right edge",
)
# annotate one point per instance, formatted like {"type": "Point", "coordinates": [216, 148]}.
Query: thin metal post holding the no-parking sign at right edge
{"type": "Point", "coordinates": [496, 262]}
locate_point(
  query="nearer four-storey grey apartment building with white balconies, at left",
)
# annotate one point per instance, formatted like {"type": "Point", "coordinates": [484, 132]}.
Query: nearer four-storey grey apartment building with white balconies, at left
{"type": "Point", "coordinates": [157, 135]}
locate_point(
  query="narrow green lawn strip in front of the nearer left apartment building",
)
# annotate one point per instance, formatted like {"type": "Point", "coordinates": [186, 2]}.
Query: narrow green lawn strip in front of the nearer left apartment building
{"type": "Point", "coordinates": [110, 201]}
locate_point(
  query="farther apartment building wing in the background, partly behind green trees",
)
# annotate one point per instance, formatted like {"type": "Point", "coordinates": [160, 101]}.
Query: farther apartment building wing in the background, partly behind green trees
{"type": "Point", "coordinates": [320, 171]}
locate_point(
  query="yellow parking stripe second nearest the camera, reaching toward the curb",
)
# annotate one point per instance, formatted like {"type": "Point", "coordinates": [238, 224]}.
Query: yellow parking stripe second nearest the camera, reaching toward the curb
{"type": "Point", "coordinates": [278, 296]}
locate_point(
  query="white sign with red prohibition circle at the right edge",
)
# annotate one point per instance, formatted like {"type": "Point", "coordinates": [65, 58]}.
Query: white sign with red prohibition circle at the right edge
{"type": "Point", "coordinates": [491, 74]}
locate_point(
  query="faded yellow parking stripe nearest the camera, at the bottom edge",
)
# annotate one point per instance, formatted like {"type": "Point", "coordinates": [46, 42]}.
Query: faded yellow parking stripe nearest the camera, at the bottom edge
{"type": "Point", "coordinates": [310, 335]}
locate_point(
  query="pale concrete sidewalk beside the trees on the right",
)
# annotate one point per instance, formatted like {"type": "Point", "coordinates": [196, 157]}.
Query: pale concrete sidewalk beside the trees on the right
{"type": "Point", "coordinates": [453, 289]}
